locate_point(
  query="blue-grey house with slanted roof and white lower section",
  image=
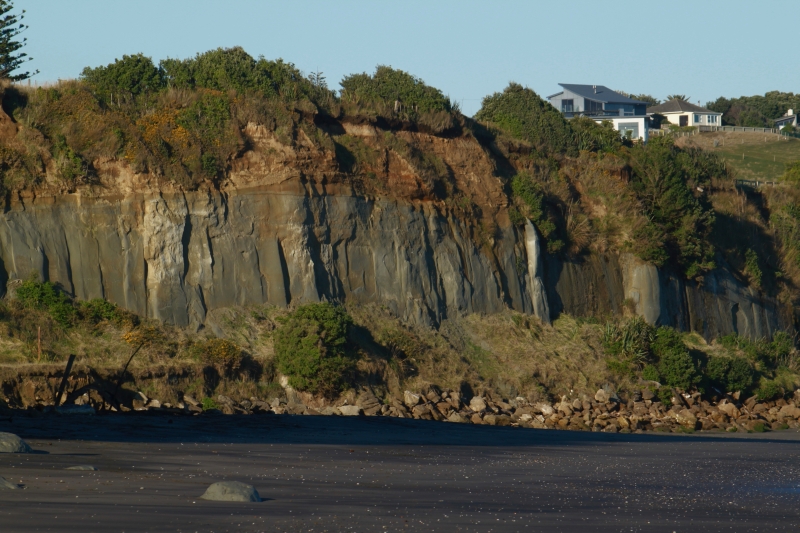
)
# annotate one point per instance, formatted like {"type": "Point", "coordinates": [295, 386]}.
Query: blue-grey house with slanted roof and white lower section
{"type": "Point", "coordinates": [600, 103]}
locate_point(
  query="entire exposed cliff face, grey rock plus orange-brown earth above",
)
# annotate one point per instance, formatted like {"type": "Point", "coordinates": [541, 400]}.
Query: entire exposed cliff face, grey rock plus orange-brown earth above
{"type": "Point", "coordinates": [283, 230]}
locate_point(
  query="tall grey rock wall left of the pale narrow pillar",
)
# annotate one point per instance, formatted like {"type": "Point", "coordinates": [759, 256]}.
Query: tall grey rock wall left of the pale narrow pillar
{"type": "Point", "coordinates": [176, 256]}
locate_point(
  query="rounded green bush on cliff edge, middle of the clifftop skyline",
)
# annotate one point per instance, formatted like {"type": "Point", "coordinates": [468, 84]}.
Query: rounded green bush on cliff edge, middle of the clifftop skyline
{"type": "Point", "coordinates": [390, 85]}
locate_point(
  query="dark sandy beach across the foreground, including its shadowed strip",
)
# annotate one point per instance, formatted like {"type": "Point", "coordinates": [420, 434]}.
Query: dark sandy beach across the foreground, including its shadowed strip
{"type": "Point", "coordinates": [384, 474]}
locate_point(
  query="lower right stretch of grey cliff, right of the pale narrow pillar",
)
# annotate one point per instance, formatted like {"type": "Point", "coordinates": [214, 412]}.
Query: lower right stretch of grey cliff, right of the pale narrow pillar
{"type": "Point", "coordinates": [720, 305]}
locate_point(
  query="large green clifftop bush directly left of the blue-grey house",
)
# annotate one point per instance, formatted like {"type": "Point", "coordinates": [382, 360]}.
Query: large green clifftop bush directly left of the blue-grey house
{"type": "Point", "coordinates": [524, 115]}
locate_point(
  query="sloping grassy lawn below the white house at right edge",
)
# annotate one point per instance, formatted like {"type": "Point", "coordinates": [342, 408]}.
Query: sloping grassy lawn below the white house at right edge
{"type": "Point", "coordinates": [764, 154]}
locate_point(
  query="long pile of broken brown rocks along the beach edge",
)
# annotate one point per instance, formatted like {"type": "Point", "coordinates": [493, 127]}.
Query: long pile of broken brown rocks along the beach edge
{"type": "Point", "coordinates": [606, 411]}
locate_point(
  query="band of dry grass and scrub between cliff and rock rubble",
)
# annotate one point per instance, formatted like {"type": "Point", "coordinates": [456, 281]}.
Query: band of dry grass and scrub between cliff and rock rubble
{"type": "Point", "coordinates": [327, 351]}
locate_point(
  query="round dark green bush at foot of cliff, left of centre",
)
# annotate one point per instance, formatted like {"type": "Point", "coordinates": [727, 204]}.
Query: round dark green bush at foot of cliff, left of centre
{"type": "Point", "coordinates": [310, 348]}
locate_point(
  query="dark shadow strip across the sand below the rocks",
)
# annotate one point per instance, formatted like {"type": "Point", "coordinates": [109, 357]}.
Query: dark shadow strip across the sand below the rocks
{"type": "Point", "coordinates": [349, 431]}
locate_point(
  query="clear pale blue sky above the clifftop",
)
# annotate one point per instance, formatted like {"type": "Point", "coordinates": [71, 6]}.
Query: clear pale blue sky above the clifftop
{"type": "Point", "coordinates": [468, 49]}
